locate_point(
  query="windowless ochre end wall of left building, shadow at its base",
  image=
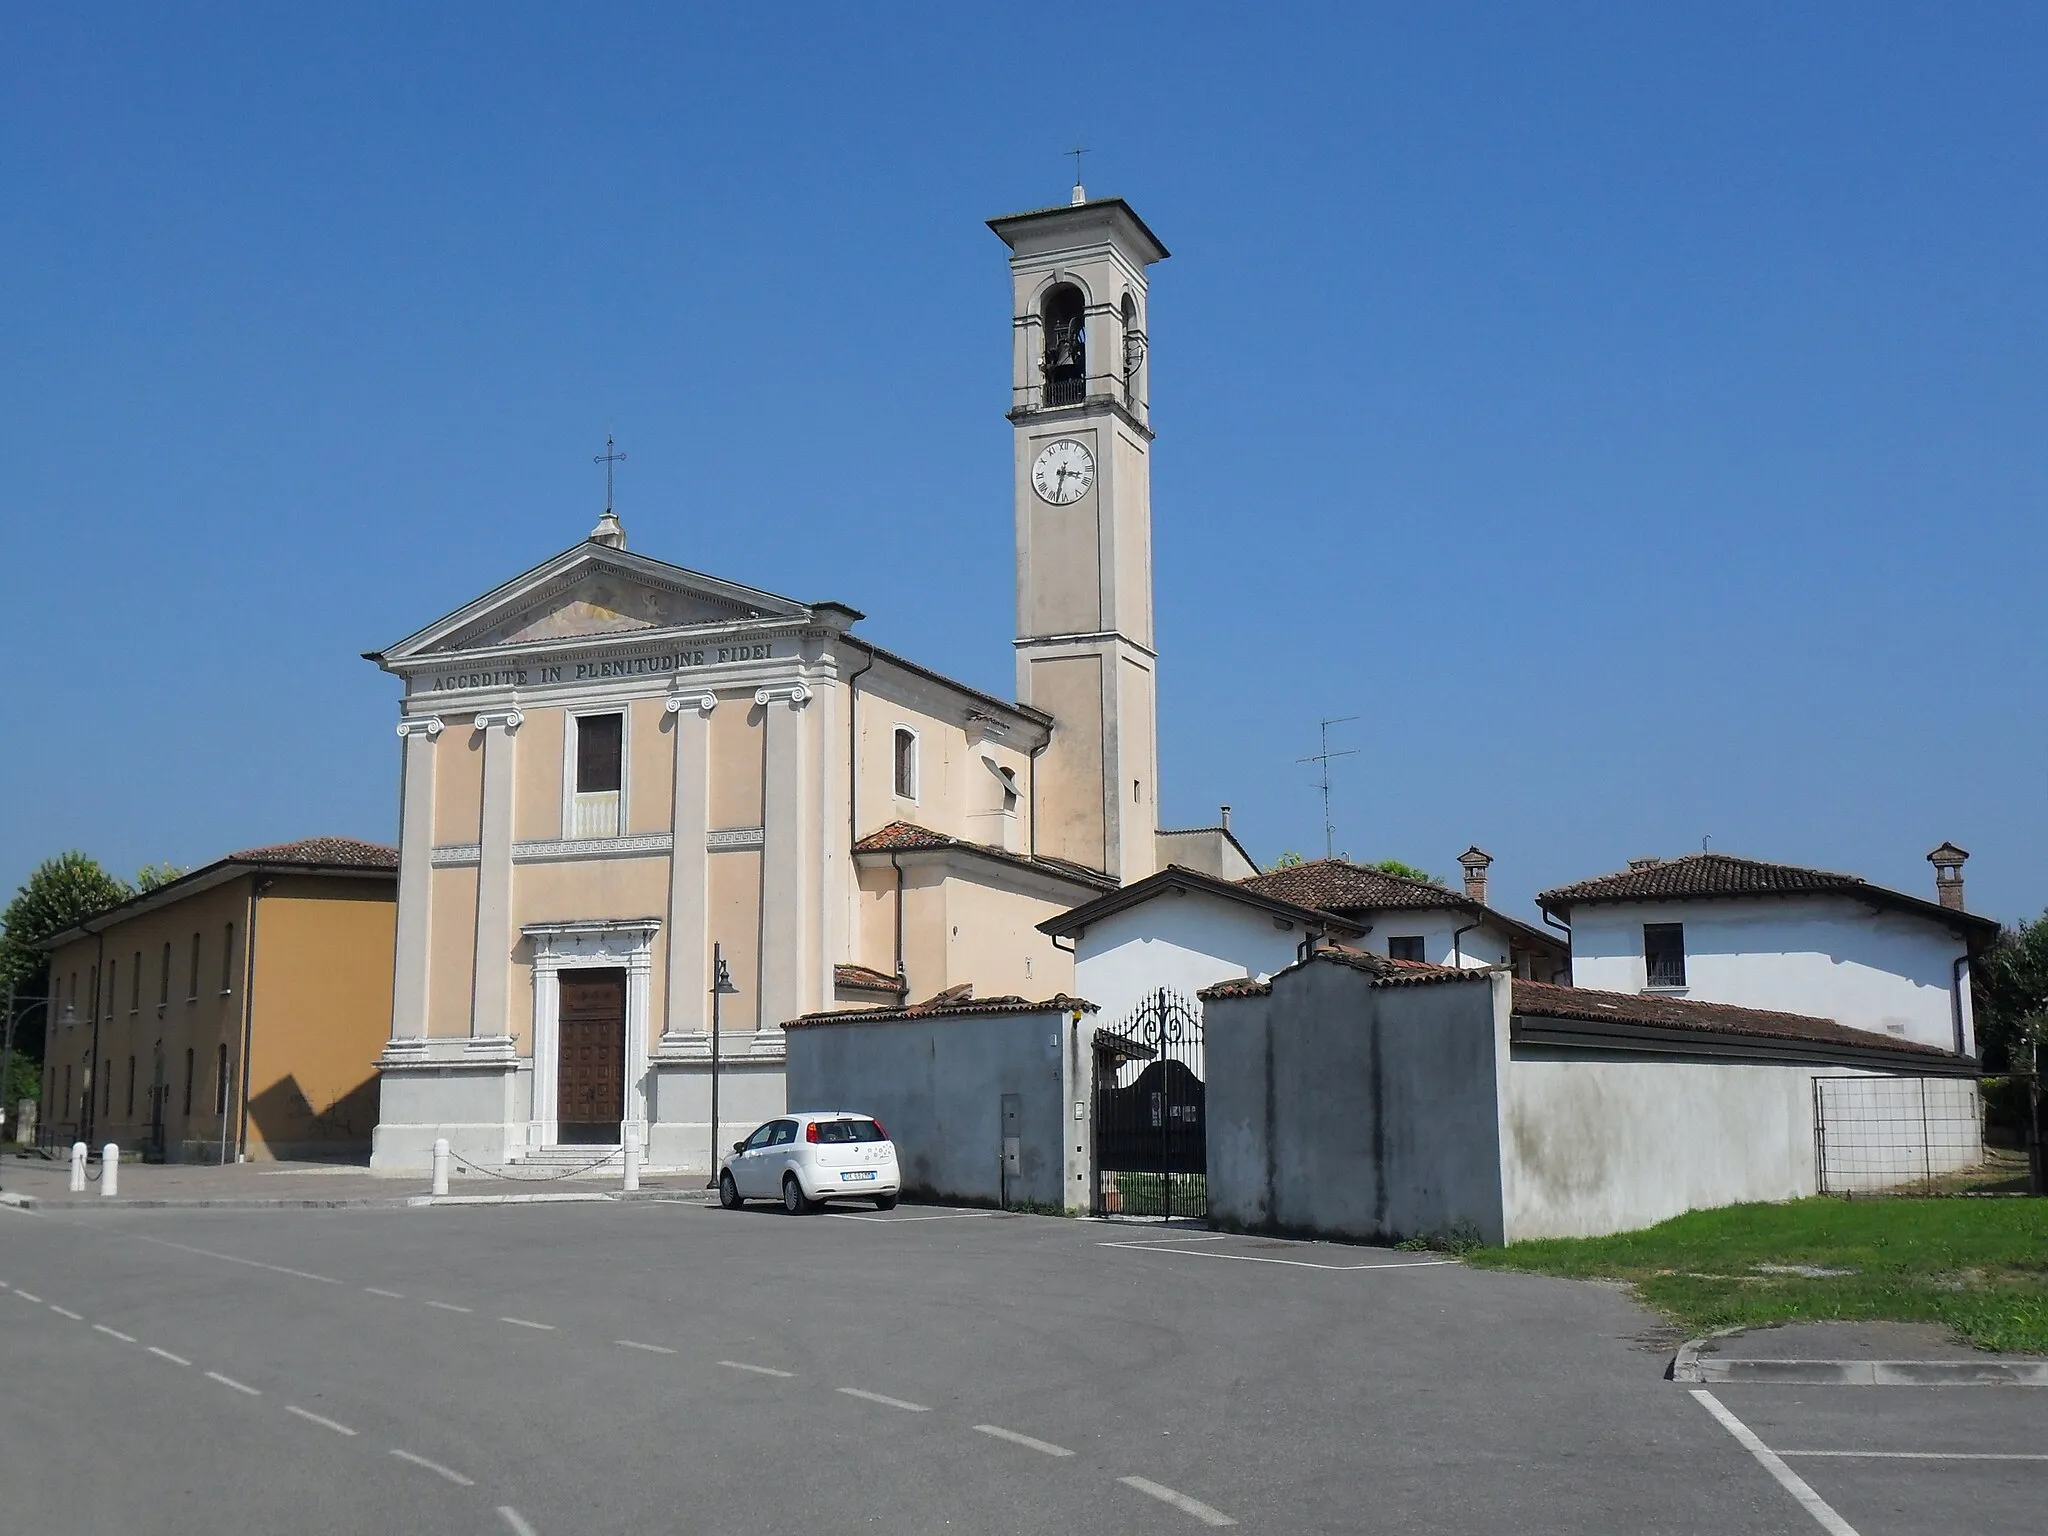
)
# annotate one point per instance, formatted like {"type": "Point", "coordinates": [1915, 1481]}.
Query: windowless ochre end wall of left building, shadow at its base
{"type": "Point", "coordinates": [323, 1013]}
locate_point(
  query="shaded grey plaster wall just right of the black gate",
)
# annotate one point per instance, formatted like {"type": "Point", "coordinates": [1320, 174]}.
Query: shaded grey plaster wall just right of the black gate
{"type": "Point", "coordinates": [1351, 1111]}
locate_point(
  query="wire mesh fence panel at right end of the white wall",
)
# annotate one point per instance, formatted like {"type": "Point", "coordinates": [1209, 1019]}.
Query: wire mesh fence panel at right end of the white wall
{"type": "Point", "coordinates": [1889, 1134]}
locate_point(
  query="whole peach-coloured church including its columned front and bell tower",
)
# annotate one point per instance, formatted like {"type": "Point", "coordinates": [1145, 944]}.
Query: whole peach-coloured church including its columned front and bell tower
{"type": "Point", "coordinates": [620, 773]}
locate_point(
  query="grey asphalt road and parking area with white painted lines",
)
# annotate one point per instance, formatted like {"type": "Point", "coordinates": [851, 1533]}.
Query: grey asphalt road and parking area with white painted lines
{"type": "Point", "coordinates": [673, 1367]}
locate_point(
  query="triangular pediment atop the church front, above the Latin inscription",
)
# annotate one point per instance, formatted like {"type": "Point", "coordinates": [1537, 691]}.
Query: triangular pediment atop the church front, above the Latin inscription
{"type": "Point", "coordinates": [595, 591]}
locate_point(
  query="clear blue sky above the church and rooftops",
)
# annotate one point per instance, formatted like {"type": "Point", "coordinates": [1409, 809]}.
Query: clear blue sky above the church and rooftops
{"type": "Point", "coordinates": [1635, 419]}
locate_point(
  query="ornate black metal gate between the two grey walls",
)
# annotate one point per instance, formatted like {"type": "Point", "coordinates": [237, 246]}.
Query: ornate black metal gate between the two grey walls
{"type": "Point", "coordinates": [1152, 1140]}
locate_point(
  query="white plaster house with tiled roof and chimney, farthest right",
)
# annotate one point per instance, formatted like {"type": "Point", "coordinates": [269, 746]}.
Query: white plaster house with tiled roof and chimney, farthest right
{"type": "Point", "coordinates": [1799, 941]}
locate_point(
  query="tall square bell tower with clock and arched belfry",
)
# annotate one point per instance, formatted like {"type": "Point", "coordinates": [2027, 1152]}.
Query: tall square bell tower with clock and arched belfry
{"type": "Point", "coordinates": [1078, 402]}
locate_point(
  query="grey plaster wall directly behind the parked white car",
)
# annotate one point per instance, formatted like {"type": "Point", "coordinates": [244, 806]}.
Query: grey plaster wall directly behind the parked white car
{"type": "Point", "coordinates": [937, 1084]}
